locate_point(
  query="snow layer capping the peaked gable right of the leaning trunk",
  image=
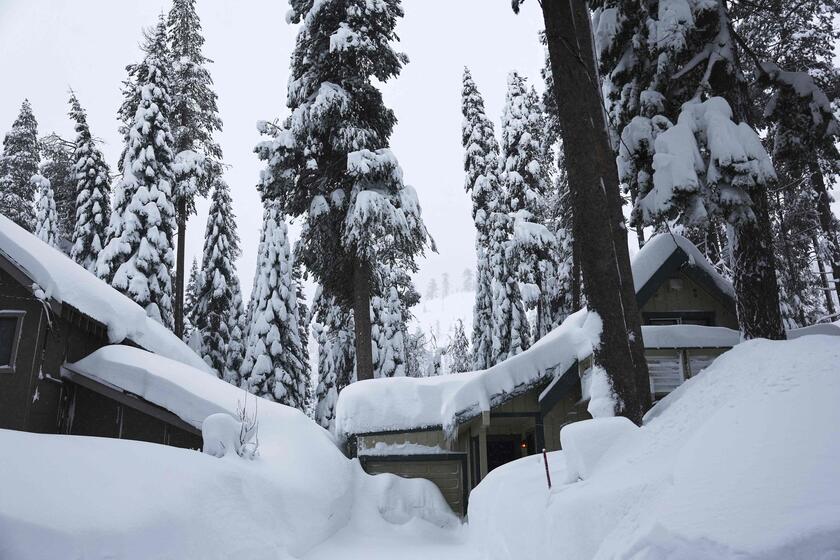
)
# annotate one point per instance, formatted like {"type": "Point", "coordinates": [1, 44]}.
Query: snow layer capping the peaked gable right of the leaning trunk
{"type": "Point", "coordinates": [656, 251]}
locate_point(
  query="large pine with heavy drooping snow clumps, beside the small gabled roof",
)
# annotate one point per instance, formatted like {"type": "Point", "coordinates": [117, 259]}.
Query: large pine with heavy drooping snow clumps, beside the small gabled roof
{"type": "Point", "coordinates": [678, 96]}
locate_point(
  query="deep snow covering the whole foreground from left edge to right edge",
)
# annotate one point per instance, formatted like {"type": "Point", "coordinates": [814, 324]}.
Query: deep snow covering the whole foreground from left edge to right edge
{"type": "Point", "coordinates": [741, 462]}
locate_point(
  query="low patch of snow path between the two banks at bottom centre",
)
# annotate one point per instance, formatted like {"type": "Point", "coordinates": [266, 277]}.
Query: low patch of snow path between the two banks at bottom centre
{"type": "Point", "coordinates": [415, 540]}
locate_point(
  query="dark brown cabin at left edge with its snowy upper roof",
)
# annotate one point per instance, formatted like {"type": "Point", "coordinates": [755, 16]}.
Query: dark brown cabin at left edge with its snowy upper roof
{"type": "Point", "coordinates": [53, 315]}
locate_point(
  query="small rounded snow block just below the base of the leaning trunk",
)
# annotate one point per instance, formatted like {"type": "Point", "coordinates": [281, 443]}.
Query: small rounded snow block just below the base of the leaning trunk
{"type": "Point", "coordinates": [585, 442]}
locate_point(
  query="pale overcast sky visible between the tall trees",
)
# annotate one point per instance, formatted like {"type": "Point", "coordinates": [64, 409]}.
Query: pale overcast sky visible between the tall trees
{"type": "Point", "coordinates": [47, 46]}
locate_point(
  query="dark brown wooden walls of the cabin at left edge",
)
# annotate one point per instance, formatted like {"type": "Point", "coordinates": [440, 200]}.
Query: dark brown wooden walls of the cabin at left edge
{"type": "Point", "coordinates": [38, 337]}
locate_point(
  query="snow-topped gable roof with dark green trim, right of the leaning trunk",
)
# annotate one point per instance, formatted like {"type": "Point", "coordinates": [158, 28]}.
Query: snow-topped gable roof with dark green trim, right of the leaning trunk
{"type": "Point", "coordinates": [666, 253]}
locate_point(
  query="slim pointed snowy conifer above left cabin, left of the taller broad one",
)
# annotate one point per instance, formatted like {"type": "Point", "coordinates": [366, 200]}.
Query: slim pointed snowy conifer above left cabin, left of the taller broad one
{"type": "Point", "coordinates": [93, 192]}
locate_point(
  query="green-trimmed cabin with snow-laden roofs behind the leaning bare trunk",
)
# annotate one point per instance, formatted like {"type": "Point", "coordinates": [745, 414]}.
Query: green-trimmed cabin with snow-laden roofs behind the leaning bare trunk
{"type": "Point", "coordinates": [455, 429]}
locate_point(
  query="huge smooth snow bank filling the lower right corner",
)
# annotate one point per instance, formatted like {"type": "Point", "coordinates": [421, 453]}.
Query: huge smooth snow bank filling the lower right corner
{"type": "Point", "coordinates": [739, 462]}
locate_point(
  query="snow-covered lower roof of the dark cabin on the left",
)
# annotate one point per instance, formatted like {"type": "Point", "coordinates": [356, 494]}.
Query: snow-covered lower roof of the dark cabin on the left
{"type": "Point", "coordinates": [185, 391]}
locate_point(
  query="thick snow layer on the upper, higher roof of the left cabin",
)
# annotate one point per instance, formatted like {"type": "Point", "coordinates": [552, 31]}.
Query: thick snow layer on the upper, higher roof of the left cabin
{"type": "Point", "coordinates": [62, 280]}
